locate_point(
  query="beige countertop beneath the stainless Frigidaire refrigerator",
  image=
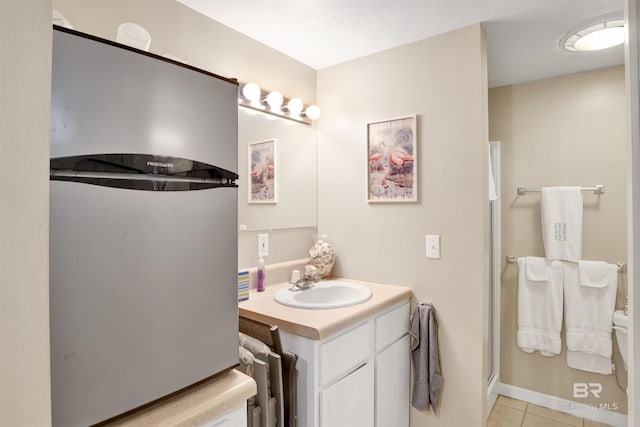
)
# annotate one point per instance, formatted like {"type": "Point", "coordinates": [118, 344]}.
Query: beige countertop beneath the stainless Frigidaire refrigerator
{"type": "Point", "coordinates": [195, 405]}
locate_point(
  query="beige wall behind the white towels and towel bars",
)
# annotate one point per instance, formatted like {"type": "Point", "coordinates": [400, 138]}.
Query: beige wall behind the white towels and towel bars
{"type": "Point", "coordinates": [564, 131]}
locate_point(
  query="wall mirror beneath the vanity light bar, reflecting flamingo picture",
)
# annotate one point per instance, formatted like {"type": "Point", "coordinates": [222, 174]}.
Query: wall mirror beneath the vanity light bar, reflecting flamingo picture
{"type": "Point", "coordinates": [295, 174]}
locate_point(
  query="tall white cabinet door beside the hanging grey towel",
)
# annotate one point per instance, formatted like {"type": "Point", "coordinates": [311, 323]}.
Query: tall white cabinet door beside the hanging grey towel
{"type": "Point", "coordinates": [392, 385]}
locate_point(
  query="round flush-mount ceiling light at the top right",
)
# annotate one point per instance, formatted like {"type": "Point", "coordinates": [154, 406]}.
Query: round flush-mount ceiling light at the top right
{"type": "Point", "coordinates": [602, 35]}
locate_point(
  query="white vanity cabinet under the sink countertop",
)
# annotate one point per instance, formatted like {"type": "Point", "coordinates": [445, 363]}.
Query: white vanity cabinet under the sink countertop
{"type": "Point", "coordinates": [359, 376]}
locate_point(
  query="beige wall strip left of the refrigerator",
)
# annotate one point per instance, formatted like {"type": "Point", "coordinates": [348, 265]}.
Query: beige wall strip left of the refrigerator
{"type": "Point", "coordinates": [25, 76]}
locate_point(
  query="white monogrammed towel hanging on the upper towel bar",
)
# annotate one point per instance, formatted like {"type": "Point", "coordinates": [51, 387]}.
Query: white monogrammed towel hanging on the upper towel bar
{"type": "Point", "coordinates": [562, 222]}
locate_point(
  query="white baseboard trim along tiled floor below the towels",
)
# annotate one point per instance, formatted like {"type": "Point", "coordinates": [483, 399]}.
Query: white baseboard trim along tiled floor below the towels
{"type": "Point", "coordinates": [563, 405]}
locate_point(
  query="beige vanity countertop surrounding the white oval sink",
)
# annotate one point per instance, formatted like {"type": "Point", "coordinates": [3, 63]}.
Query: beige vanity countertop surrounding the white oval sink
{"type": "Point", "coordinates": [318, 324]}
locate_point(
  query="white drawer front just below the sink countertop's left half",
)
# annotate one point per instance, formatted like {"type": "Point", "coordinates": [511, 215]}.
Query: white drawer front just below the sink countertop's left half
{"type": "Point", "coordinates": [344, 353]}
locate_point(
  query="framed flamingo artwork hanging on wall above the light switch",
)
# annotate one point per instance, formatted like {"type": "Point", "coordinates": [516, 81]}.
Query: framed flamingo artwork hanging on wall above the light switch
{"type": "Point", "coordinates": [392, 156]}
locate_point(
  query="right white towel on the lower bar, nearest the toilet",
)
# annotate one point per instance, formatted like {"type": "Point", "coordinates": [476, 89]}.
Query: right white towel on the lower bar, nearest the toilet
{"type": "Point", "coordinates": [588, 317]}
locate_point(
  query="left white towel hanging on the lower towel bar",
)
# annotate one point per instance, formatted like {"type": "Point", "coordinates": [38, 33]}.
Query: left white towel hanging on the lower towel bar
{"type": "Point", "coordinates": [540, 307]}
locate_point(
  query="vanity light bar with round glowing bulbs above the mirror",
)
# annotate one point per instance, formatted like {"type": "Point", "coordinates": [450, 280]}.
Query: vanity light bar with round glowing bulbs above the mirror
{"type": "Point", "coordinates": [274, 104]}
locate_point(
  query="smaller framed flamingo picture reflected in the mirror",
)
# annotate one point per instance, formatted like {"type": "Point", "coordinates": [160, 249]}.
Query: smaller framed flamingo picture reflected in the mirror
{"type": "Point", "coordinates": [262, 172]}
